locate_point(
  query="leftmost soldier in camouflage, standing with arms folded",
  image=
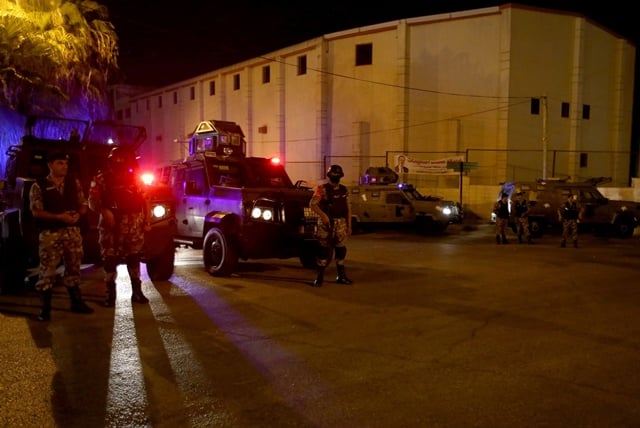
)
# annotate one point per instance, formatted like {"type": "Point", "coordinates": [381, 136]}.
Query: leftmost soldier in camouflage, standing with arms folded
{"type": "Point", "coordinates": [57, 202]}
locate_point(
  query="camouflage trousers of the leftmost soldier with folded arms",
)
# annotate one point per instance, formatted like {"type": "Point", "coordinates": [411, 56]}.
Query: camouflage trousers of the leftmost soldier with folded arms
{"type": "Point", "coordinates": [54, 245]}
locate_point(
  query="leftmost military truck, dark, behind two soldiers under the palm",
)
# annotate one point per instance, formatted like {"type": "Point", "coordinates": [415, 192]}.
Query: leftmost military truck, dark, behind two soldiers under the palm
{"type": "Point", "coordinates": [88, 145]}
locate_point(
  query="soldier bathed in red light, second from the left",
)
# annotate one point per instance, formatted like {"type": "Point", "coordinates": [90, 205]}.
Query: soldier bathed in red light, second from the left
{"type": "Point", "coordinates": [117, 196]}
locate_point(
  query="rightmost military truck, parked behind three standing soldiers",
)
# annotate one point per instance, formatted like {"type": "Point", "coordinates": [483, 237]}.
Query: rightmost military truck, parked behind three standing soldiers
{"type": "Point", "coordinates": [601, 215]}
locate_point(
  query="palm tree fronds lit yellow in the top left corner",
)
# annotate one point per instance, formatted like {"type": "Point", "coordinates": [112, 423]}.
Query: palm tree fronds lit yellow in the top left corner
{"type": "Point", "coordinates": [56, 57]}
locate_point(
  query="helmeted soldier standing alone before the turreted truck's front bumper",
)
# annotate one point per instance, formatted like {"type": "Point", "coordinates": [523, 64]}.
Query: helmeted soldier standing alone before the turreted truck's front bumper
{"type": "Point", "coordinates": [331, 202]}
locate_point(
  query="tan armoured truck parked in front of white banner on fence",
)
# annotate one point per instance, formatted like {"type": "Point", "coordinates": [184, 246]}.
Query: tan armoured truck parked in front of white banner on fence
{"type": "Point", "coordinates": [379, 200]}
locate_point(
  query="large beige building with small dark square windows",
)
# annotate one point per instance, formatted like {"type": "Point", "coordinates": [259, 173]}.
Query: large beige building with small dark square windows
{"type": "Point", "coordinates": [520, 92]}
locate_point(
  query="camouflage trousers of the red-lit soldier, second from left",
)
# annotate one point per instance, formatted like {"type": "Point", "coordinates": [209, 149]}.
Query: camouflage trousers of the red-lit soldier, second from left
{"type": "Point", "coordinates": [122, 243]}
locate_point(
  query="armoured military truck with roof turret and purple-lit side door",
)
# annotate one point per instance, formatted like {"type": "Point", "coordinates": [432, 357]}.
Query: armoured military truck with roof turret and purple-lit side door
{"type": "Point", "coordinates": [236, 207]}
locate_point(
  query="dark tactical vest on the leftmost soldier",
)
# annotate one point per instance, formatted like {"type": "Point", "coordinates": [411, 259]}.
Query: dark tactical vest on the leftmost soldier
{"type": "Point", "coordinates": [57, 203]}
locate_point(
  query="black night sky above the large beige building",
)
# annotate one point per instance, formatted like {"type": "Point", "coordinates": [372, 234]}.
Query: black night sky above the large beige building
{"type": "Point", "coordinates": [168, 42]}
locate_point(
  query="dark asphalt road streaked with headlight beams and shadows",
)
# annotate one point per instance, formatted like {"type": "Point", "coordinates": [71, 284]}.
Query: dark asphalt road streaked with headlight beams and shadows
{"type": "Point", "coordinates": [447, 331]}
